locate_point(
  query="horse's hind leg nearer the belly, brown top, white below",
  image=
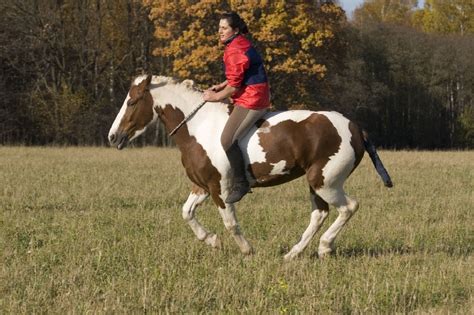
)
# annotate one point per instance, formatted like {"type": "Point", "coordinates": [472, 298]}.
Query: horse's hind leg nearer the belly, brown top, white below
{"type": "Point", "coordinates": [320, 210]}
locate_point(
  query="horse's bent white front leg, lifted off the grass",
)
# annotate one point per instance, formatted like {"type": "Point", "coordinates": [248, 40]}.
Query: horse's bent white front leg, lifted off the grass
{"type": "Point", "coordinates": [196, 197]}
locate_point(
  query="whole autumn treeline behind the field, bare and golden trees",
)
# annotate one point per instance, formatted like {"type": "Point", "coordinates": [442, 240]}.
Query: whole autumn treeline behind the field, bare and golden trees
{"type": "Point", "coordinates": [404, 73]}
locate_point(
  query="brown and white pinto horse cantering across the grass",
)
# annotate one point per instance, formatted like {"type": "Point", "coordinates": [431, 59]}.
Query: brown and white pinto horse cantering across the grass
{"type": "Point", "coordinates": [282, 146]}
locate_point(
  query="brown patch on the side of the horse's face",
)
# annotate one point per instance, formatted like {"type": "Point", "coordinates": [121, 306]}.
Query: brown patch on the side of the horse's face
{"type": "Point", "coordinates": [139, 110]}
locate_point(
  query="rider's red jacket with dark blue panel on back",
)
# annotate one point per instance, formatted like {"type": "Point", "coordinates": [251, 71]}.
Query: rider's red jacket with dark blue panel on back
{"type": "Point", "coordinates": [244, 70]}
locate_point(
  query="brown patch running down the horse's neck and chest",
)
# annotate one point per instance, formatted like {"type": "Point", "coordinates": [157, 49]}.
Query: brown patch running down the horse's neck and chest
{"type": "Point", "coordinates": [194, 158]}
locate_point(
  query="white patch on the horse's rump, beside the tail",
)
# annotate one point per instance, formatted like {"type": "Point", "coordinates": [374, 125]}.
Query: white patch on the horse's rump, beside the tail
{"type": "Point", "coordinates": [344, 157]}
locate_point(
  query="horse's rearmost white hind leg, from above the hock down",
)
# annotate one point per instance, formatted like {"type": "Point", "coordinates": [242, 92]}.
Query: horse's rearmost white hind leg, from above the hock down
{"type": "Point", "coordinates": [346, 207]}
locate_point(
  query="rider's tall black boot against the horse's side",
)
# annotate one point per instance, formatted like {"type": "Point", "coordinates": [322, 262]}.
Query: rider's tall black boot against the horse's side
{"type": "Point", "coordinates": [241, 185]}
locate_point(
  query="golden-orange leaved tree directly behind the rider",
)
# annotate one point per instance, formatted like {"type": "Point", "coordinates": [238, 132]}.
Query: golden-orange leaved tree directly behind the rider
{"type": "Point", "coordinates": [294, 37]}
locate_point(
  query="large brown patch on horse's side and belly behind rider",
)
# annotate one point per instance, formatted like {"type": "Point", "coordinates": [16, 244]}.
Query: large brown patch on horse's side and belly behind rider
{"type": "Point", "coordinates": [304, 146]}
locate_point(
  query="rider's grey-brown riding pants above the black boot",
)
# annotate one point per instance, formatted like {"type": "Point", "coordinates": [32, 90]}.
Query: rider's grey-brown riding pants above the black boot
{"type": "Point", "coordinates": [239, 123]}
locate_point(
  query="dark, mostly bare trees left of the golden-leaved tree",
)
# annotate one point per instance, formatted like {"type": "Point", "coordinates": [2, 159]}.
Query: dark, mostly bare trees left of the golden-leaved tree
{"type": "Point", "coordinates": [65, 57]}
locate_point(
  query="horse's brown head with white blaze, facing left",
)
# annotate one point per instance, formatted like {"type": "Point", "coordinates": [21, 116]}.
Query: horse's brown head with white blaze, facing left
{"type": "Point", "coordinates": [135, 115]}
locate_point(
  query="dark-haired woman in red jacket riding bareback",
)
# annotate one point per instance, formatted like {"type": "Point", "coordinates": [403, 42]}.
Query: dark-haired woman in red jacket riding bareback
{"type": "Point", "coordinates": [247, 85]}
